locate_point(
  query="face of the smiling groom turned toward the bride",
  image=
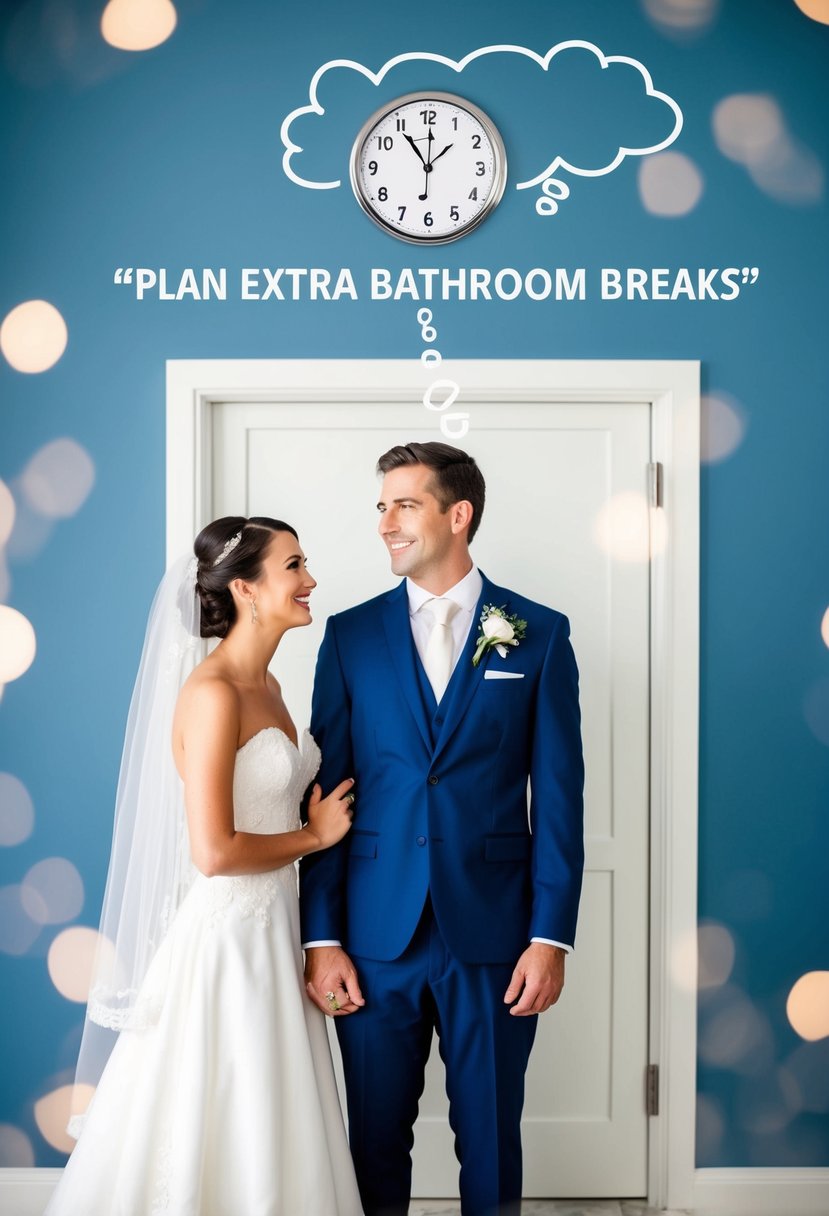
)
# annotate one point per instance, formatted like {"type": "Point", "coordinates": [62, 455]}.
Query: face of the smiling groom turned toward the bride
{"type": "Point", "coordinates": [416, 532]}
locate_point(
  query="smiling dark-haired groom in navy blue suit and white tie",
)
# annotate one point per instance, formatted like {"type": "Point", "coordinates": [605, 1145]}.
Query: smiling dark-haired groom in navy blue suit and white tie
{"type": "Point", "coordinates": [447, 907]}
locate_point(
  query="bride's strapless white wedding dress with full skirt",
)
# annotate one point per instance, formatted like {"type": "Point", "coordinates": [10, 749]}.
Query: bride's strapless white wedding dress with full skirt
{"type": "Point", "coordinates": [227, 1105]}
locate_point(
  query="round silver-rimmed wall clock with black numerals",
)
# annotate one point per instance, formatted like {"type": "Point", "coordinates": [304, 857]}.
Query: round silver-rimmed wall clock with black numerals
{"type": "Point", "coordinates": [428, 167]}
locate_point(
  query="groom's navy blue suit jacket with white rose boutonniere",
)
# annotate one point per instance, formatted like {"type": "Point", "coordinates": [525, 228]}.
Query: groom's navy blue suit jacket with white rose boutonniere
{"type": "Point", "coordinates": [442, 807]}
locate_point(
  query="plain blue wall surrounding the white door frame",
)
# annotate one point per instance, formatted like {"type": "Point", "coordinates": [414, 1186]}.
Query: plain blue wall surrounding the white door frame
{"type": "Point", "coordinates": [173, 159]}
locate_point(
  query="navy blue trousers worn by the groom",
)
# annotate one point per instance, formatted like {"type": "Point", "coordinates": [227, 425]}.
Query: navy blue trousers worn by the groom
{"type": "Point", "coordinates": [486, 1051]}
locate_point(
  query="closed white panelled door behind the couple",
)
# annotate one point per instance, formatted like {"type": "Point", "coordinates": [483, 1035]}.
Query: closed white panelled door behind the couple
{"type": "Point", "coordinates": [567, 525]}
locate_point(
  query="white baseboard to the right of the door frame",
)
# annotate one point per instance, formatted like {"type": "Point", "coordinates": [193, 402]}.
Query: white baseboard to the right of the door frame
{"type": "Point", "coordinates": [762, 1192]}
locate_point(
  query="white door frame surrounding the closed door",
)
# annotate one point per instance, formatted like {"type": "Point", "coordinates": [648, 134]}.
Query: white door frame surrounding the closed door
{"type": "Point", "coordinates": [672, 389]}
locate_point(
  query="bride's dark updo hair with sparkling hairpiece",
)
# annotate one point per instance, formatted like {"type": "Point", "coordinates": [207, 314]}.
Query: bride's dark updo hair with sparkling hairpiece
{"type": "Point", "coordinates": [233, 548]}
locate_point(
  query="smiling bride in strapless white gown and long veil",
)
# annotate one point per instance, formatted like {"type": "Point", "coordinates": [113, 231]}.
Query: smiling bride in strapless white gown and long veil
{"type": "Point", "coordinates": [219, 1096]}
